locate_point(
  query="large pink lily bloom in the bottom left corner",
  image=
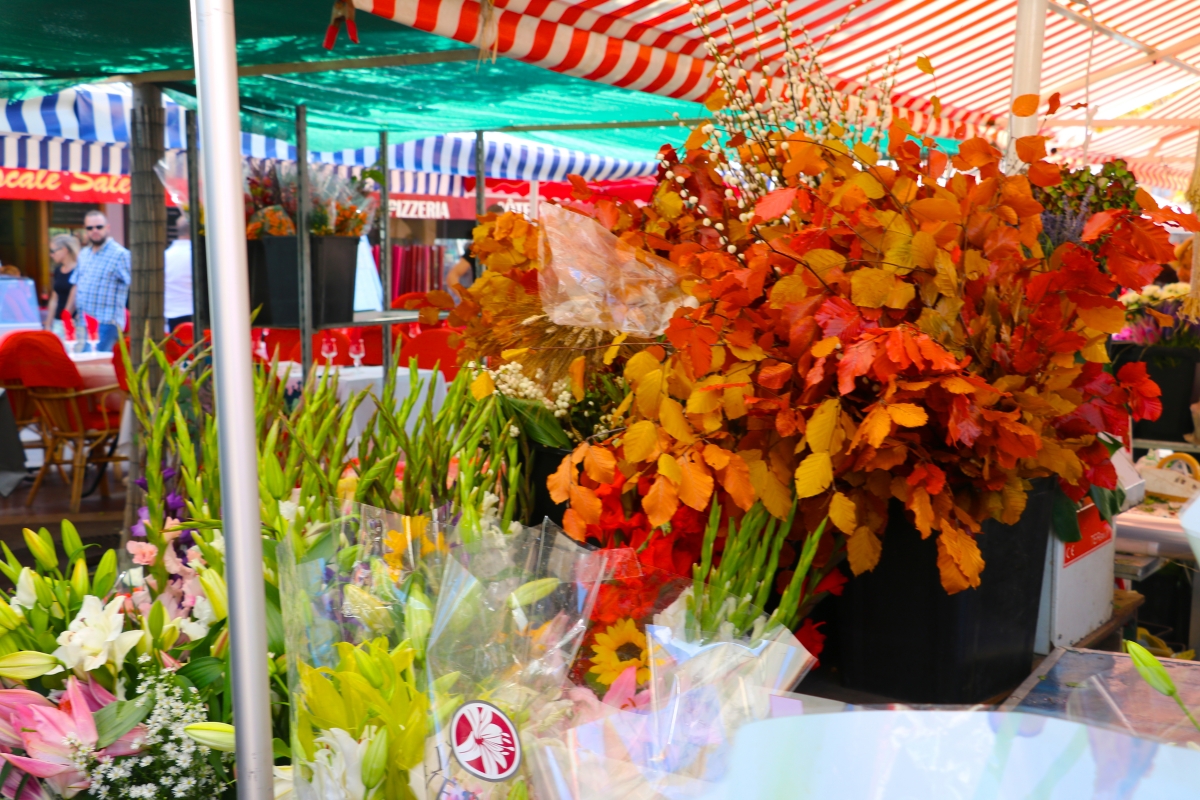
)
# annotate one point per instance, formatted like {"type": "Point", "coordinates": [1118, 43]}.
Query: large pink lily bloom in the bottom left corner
{"type": "Point", "coordinates": [49, 735]}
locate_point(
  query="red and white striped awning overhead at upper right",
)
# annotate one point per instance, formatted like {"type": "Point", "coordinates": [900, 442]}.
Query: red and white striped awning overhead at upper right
{"type": "Point", "coordinates": [1127, 58]}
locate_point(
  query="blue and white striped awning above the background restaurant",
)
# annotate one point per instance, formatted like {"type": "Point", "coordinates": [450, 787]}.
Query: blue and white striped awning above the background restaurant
{"type": "Point", "coordinates": [87, 117]}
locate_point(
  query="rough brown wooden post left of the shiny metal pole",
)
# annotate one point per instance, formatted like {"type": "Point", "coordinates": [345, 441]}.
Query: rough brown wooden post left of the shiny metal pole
{"type": "Point", "coordinates": [148, 220]}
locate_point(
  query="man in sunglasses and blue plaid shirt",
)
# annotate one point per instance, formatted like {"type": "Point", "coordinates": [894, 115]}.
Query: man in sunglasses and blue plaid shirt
{"type": "Point", "coordinates": [103, 281]}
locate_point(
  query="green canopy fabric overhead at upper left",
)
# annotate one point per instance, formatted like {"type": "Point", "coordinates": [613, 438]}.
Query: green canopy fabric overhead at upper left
{"type": "Point", "coordinates": [52, 46]}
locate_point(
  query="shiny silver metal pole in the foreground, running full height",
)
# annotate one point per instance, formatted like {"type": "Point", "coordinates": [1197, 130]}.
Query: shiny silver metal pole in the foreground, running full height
{"type": "Point", "coordinates": [217, 80]}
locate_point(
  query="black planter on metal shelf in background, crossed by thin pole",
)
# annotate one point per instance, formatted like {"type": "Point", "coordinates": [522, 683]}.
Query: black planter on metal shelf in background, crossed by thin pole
{"type": "Point", "coordinates": [274, 284]}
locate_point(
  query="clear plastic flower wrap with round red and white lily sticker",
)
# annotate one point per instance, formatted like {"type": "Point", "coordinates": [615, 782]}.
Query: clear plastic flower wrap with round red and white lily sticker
{"type": "Point", "coordinates": [509, 619]}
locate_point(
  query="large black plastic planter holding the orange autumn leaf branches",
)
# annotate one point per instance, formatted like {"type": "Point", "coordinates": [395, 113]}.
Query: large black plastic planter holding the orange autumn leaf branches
{"type": "Point", "coordinates": [901, 636]}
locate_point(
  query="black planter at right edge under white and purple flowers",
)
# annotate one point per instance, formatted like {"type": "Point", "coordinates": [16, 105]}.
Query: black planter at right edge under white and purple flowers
{"type": "Point", "coordinates": [1175, 372]}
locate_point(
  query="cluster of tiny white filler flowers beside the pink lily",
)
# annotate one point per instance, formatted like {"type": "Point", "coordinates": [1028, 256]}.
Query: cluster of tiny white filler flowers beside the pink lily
{"type": "Point", "coordinates": [170, 765]}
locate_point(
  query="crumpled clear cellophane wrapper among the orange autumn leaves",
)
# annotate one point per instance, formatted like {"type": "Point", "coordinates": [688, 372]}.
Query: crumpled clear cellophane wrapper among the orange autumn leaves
{"type": "Point", "coordinates": [591, 279]}
